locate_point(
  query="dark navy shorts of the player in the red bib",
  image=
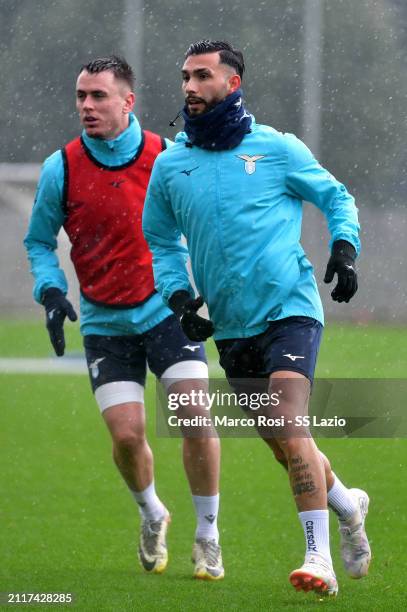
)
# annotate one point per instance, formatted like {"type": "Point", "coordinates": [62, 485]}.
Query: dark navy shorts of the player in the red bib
{"type": "Point", "coordinates": [125, 358]}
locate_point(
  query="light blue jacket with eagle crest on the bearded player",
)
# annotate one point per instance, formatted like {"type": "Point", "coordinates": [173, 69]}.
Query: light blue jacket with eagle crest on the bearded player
{"type": "Point", "coordinates": [241, 212]}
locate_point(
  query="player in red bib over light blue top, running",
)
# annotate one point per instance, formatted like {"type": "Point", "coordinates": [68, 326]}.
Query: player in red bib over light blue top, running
{"type": "Point", "coordinates": [95, 188]}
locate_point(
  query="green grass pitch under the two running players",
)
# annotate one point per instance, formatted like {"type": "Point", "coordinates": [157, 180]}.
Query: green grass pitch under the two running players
{"type": "Point", "coordinates": [68, 524]}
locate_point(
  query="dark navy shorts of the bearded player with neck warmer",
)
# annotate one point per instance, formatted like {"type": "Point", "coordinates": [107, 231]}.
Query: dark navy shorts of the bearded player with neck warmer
{"type": "Point", "coordinates": [288, 344]}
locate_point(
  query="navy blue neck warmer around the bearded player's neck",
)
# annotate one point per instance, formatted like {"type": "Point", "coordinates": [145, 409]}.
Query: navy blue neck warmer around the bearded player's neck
{"type": "Point", "coordinates": [221, 128]}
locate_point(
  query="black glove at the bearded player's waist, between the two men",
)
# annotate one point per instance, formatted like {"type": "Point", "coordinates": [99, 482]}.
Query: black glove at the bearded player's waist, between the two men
{"type": "Point", "coordinates": [195, 327]}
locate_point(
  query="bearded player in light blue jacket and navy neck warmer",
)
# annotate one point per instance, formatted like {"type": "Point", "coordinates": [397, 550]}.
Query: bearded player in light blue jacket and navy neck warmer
{"type": "Point", "coordinates": [235, 190]}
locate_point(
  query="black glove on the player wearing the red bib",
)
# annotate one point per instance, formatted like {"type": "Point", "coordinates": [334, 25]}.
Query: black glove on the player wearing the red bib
{"type": "Point", "coordinates": [57, 307]}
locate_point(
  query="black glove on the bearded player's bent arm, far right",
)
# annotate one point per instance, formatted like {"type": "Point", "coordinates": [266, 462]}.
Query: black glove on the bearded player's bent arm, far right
{"type": "Point", "coordinates": [342, 262]}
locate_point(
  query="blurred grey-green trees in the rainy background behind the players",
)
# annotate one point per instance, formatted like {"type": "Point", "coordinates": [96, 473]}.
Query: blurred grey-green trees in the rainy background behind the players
{"type": "Point", "coordinates": [364, 85]}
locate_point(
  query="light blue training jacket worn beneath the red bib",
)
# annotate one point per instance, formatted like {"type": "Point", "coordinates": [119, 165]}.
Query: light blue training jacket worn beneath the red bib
{"type": "Point", "coordinates": [46, 221]}
